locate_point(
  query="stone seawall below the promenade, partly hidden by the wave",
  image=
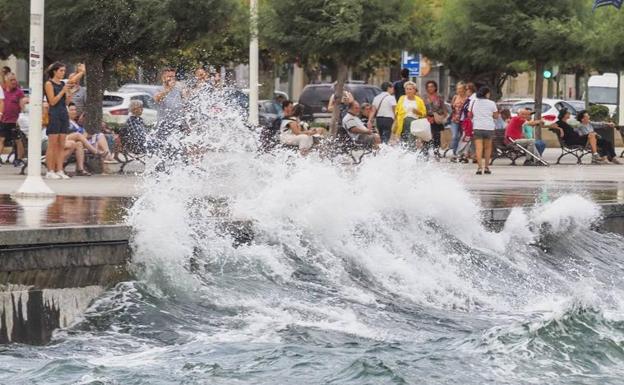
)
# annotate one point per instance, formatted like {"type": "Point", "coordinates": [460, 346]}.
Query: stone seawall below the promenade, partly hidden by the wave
{"type": "Point", "coordinates": [49, 276]}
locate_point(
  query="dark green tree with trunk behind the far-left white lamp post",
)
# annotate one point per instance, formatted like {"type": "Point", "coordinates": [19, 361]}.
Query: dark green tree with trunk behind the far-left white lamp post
{"type": "Point", "coordinates": [102, 32]}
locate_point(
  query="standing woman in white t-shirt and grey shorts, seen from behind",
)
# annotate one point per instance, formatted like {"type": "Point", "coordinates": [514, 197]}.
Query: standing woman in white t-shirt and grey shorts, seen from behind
{"type": "Point", "coordinates": [484, 111]}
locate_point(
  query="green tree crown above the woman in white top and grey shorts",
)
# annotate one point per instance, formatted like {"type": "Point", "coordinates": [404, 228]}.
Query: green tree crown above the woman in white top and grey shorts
{"type": "Point", "coordinates": [485, 40]}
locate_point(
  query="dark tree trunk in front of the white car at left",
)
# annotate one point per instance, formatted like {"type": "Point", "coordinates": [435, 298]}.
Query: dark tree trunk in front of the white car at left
{"type": "Point", "coordinates": [95, 92]}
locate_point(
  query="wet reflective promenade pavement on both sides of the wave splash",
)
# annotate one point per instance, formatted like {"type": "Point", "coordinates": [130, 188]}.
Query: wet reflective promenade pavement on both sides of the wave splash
{"type": "Point", "coordinates": [104, 199]}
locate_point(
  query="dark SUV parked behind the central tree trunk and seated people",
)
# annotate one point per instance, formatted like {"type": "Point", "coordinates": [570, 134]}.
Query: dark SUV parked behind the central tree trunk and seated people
{"type": "Point", "coordinates": [315, 98]}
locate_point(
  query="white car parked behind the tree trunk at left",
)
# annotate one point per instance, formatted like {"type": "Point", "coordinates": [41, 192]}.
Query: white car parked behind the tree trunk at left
{"type": "Point", "coordinates": [116, 107]}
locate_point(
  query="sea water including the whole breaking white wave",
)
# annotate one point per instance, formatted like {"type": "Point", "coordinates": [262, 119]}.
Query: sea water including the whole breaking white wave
{"type": "Point", "coordinates": [377, 274]}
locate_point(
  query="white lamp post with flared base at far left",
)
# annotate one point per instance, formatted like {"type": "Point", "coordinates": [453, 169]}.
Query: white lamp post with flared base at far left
{"type": "Point", "coordinates": [33, 185]}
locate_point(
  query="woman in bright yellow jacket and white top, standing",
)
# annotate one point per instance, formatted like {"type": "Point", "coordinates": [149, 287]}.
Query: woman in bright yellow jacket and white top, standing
{"type": "Point", "coordinates": [409, 108]}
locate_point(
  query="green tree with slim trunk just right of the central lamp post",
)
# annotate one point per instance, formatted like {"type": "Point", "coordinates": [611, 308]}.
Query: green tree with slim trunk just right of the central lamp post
{"type": "Point", "coordinates": [344, 31]}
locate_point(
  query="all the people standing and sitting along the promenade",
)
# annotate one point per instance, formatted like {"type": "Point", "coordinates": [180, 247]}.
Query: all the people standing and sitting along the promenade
{"type": "Point", "coordinates": [391, 118]}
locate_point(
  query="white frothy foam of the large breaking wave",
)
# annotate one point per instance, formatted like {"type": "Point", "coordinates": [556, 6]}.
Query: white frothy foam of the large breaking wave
{"type": "Point", "coordinates": [395, 226]}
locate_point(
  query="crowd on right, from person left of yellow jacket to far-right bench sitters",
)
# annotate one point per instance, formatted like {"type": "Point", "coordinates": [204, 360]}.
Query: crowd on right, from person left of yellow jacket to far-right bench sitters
{"type": "Point", "coordinates": [474, 120]}
